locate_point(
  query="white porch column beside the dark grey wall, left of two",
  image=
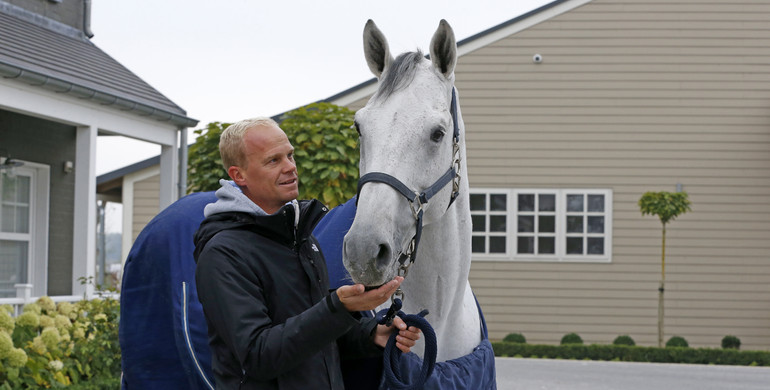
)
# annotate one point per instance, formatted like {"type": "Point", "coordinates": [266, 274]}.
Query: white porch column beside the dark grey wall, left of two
{"type": "Point", "coordinates": [84, 229]}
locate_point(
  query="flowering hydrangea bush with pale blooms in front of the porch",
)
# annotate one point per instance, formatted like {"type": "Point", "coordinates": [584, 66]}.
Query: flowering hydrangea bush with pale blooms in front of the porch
{"type": "Point", "coordinates": [60, 345]}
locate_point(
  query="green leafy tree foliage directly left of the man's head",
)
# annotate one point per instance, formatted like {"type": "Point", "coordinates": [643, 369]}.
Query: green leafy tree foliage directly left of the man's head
{"type": "Point", "coordinates": [204, 166]}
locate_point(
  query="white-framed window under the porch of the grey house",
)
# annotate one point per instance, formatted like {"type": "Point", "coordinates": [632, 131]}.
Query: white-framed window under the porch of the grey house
{"type": "Point", "coordinates": [23, 228]}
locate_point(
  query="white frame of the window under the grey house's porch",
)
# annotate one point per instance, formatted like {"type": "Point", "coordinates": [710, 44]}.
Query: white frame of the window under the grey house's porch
{"type": "Point", "coordinates": [37, 255]}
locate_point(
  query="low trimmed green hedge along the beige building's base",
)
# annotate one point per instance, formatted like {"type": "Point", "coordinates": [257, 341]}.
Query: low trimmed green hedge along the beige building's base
{"type": "Point", "coordinates": [634, 354]}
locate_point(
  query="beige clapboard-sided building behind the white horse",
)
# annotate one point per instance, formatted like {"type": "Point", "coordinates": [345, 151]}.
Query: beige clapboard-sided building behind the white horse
{"type": "Point", "coordinates": [572, 112]}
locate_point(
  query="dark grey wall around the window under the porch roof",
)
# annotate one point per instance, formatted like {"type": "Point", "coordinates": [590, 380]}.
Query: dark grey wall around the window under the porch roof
{"type": "Point", "coordinates": [50, 143]}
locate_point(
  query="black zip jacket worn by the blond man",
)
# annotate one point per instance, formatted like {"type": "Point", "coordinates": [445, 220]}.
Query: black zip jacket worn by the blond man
{"type": "Point", "coordinates": [263, 285]}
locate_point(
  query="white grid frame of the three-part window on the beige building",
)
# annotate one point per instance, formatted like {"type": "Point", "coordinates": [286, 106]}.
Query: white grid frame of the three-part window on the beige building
{"type": "Point", "coordinates": [561, 234]}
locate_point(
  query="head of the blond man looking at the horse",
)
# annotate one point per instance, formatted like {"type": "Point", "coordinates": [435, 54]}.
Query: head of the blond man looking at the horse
{"type": "Point", "coordinates": [269, 177]}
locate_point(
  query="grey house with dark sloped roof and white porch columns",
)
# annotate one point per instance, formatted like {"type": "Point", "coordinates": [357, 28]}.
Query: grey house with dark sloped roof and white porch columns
{"type": "Point", "coordinates": [58, 92]}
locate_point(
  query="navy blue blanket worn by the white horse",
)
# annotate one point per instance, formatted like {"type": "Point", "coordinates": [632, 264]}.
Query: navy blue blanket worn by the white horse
{"type": "Point", "coordinates": [163, 333]}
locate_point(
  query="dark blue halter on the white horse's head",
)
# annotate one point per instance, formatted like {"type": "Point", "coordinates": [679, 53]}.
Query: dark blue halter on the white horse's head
{"type": "Point", "coordinates": [418, 200]}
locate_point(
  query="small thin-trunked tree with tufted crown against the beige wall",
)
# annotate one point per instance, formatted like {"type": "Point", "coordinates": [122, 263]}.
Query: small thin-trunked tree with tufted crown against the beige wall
{"type": "Point", "coordinates": [667, 206]}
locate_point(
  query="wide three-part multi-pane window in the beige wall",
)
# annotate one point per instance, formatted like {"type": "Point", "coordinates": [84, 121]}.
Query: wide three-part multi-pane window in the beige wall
{"type": "Point", "coordinates": [542, 224]}
